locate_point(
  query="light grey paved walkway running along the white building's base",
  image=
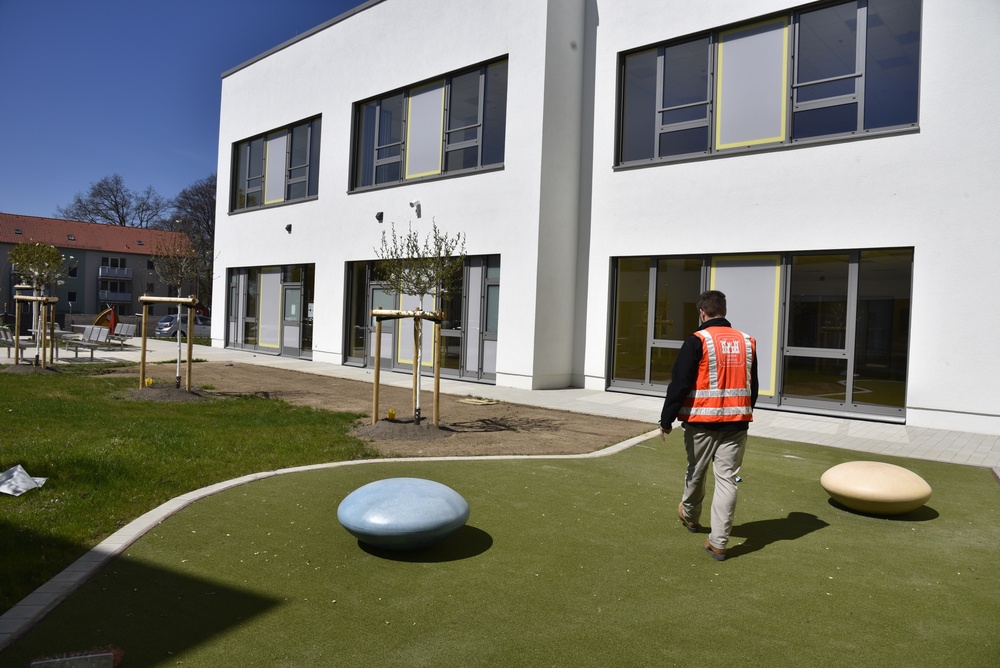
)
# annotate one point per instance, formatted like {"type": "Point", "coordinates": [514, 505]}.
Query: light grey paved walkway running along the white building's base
{"type": "Point", "coordinates": [863, 436]}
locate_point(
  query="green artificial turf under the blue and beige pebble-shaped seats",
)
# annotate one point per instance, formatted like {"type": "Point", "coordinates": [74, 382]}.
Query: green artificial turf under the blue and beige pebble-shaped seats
{"type": "Point", "coordinates": [564, 562]}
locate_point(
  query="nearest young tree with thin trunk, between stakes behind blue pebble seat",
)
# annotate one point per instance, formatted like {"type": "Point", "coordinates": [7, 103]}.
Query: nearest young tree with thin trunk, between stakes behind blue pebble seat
{"type": "Point", "coordinates": [430, 268]}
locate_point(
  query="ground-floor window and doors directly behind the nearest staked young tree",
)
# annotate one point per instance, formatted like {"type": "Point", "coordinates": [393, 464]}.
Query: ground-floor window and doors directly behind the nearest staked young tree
{"type": "Point", "coordinates": [468, 346]}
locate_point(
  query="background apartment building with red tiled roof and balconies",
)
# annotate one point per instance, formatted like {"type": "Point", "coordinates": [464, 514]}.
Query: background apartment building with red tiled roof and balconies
{"type": "Point", "coordinates": [106, 265]}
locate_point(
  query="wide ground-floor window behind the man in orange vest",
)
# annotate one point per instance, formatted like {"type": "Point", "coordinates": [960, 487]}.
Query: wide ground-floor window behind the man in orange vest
{"type": "Point", "coordinates": [832, 328]}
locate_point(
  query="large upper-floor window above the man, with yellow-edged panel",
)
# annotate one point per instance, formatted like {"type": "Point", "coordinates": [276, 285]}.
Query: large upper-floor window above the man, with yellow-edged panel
{"type": "Point", "coordinates": [836, 71]}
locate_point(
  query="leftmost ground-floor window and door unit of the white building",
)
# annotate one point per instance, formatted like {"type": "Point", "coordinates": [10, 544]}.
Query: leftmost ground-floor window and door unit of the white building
{"type": "Point", "coordinates": [270, 309]}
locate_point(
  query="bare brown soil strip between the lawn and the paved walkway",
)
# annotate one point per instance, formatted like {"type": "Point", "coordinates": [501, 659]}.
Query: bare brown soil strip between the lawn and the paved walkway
{"type": "Point", "coordinates": [467, 426]}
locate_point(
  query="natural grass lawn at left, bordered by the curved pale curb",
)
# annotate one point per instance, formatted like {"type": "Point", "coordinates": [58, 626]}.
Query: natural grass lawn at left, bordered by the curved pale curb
{"type": "Point", "coordinates": [110, 459]}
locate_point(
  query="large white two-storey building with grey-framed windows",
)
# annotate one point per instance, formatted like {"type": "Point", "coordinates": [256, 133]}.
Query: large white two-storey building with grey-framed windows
{"type": "Point", "coordinates": [824, 164]}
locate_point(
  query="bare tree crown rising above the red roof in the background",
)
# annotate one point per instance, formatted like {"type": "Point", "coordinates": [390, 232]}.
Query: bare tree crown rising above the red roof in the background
{"type": "Point", "coordinates": [108, 201]}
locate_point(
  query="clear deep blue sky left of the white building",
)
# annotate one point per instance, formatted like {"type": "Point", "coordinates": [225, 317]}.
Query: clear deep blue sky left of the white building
{"type": "Point", "coordinates": [90, 88]}
